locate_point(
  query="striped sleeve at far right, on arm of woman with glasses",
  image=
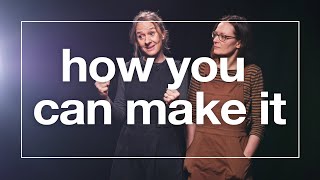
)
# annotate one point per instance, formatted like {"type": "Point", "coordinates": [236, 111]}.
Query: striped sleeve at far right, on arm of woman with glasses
{"type": "Point", "coordinates": [257, 87]}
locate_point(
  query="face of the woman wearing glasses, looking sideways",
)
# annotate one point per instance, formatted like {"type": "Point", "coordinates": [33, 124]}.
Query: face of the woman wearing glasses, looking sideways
{"type": "Point", "coordinates": [230, 45]}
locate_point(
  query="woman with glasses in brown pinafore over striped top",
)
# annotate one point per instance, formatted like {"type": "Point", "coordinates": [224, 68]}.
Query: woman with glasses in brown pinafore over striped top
{"type": "Point", "coordinates": [230, 40]}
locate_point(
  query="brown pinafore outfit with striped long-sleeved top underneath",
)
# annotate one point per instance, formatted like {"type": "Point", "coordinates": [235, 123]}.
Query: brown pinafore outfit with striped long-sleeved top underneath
{"type": "Point", "coordinates": [224, 140]}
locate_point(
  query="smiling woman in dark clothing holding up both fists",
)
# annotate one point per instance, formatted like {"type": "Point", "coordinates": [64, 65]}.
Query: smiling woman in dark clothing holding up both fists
{"type": "Point", "coordinates": [149, 38]}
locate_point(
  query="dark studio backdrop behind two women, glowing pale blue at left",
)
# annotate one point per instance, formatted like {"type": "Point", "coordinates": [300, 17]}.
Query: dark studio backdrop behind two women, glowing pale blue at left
{"type": "Point", "coordinates": [275, 51]}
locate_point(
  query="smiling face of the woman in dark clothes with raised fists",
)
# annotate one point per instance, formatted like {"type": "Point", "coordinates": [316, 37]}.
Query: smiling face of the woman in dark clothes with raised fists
{"type": "Point", "coordinates": [148, 38]}
